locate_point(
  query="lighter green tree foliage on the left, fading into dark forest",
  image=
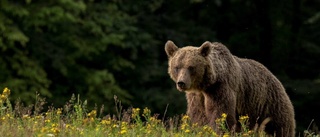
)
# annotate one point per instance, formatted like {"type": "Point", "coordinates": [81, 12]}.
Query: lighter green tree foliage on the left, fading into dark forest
{"type": "Point", "coordinates": [74, 44]}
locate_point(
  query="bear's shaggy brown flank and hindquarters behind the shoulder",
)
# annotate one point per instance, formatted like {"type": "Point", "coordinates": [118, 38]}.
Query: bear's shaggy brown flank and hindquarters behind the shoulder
{"type": "Point", "coordinates": [264, 92]}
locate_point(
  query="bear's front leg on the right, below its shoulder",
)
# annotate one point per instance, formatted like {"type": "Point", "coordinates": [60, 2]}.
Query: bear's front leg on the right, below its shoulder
{"type": "Point", "coordinates": [216, 105]}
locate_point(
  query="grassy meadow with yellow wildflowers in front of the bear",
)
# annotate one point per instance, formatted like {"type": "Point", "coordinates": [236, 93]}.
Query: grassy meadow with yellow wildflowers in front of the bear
{"type": "Point", "coordinates": [75, 120]}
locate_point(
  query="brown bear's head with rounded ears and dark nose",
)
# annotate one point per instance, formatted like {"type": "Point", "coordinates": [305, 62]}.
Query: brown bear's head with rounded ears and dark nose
{"type": "Point", "coordinates": [190, 67]}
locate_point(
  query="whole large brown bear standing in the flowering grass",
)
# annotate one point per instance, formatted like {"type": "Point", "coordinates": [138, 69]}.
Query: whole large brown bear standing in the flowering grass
{"type": "Point", "coordinates": [216, 82]}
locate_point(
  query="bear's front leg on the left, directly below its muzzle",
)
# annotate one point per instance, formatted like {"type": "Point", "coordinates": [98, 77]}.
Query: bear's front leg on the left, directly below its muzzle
{"type": "Point", "coordinates": [196, 109]}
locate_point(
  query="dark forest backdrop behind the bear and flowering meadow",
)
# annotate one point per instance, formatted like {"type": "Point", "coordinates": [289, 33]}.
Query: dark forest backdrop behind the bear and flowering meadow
{"type": "Point", "coordinates": [98, 49]}
